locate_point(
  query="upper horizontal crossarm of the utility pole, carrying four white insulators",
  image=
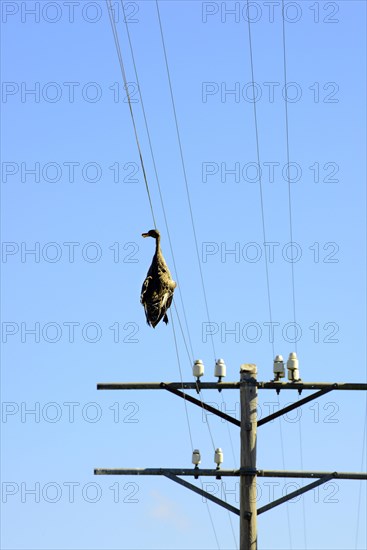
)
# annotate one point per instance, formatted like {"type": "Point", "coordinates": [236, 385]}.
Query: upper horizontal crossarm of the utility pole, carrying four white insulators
{"type": "Point", "coordinates": [231, 385]}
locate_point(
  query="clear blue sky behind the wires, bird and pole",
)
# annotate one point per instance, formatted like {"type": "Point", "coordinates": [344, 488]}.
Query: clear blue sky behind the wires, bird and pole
{"type": "Point", "coordinates": [82, 211]}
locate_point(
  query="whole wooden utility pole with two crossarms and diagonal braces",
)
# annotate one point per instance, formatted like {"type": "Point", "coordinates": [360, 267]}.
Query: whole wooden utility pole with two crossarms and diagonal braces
{"type": "Point", "coordinates": [248, 471]}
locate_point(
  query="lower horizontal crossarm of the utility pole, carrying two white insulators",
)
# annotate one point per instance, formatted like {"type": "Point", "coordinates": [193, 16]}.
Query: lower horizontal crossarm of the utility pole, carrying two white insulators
{"type": "Point", "coordinates": [193, 472]}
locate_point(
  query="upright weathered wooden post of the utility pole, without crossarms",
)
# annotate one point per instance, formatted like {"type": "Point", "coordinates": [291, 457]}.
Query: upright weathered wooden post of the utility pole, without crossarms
{"type": "Point", "coordinates": [248, 516]}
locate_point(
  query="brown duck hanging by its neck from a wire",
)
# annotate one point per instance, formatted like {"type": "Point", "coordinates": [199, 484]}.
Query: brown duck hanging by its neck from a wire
{"type": "Point", "coordinates": [158, 287]}
